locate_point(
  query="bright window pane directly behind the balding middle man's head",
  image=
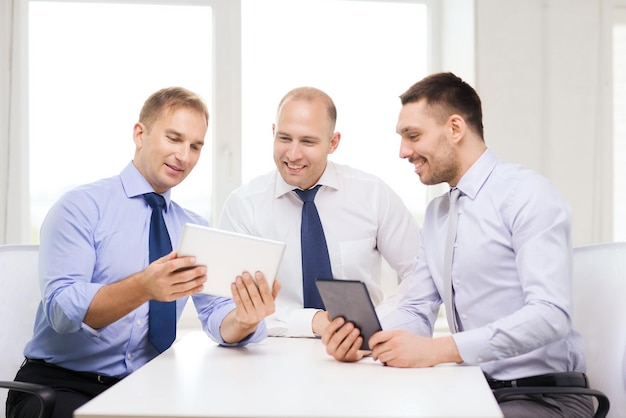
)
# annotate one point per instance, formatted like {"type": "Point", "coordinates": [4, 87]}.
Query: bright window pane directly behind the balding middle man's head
{"type": "Point", "coordinates": [364, 54]}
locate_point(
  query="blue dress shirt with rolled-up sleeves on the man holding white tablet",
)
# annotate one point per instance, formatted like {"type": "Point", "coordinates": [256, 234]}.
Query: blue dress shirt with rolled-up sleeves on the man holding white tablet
{"type": "Point", "coordinates": [95, 235]}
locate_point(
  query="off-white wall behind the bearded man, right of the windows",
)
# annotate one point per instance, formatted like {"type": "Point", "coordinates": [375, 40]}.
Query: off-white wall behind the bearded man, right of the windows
{"type": "Point", "coordinates": [541, 69]}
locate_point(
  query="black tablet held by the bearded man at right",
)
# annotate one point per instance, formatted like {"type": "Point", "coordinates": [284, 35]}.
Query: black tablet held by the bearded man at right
{"type": "Point", "coordinates": [351, 300]}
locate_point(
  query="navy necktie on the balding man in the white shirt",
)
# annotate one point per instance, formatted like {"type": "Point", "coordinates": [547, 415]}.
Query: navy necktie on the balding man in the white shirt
{"type": "Point", "coordinates": [315, 260]}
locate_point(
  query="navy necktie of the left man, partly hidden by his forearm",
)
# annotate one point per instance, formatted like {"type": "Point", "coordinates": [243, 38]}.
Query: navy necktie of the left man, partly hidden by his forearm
{"type": "Point", "coordinates": [162, 317]}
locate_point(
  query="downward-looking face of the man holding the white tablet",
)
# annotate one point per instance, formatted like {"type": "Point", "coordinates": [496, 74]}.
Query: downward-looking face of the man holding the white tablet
{"type": "Point", "coordinates": [167, 152]}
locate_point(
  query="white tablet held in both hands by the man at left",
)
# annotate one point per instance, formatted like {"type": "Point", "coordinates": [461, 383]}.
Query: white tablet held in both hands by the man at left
{"type": "Point", "coordinates": [228, 254]}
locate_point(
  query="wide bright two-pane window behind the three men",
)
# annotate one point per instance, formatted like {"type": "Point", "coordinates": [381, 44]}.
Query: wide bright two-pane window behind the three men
{"type": "Point", "coordinates": [92, 64]}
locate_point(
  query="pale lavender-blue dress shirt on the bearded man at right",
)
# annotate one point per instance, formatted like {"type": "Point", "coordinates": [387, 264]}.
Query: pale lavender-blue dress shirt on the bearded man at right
{"type": "Point", "coordinates": [511, 274]}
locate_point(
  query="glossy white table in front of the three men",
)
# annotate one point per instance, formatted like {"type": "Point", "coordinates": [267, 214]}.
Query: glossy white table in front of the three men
{"type": "Point", "coordinates": [288, 377]}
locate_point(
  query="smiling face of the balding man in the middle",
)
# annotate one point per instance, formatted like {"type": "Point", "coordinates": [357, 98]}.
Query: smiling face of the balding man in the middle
{"type": "Point", "coordinates": [303, 138]}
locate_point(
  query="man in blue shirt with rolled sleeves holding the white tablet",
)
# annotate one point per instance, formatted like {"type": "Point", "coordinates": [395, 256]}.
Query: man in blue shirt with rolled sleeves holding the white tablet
{"type": "Point", "coordinates": [92, 326]}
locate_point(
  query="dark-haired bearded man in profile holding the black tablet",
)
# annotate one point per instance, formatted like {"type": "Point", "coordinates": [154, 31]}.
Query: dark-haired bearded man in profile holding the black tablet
{"type": "Point", "coordinates": [510, 269]}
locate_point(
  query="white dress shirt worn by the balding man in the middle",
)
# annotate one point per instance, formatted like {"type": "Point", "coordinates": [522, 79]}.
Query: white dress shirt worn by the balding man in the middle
{"type": "Point", "coordinates": [362, 219]}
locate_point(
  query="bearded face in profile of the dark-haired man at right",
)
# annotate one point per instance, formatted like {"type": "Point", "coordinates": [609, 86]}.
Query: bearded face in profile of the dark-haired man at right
{"type": "Point", "coordinates": [426, 143]}
